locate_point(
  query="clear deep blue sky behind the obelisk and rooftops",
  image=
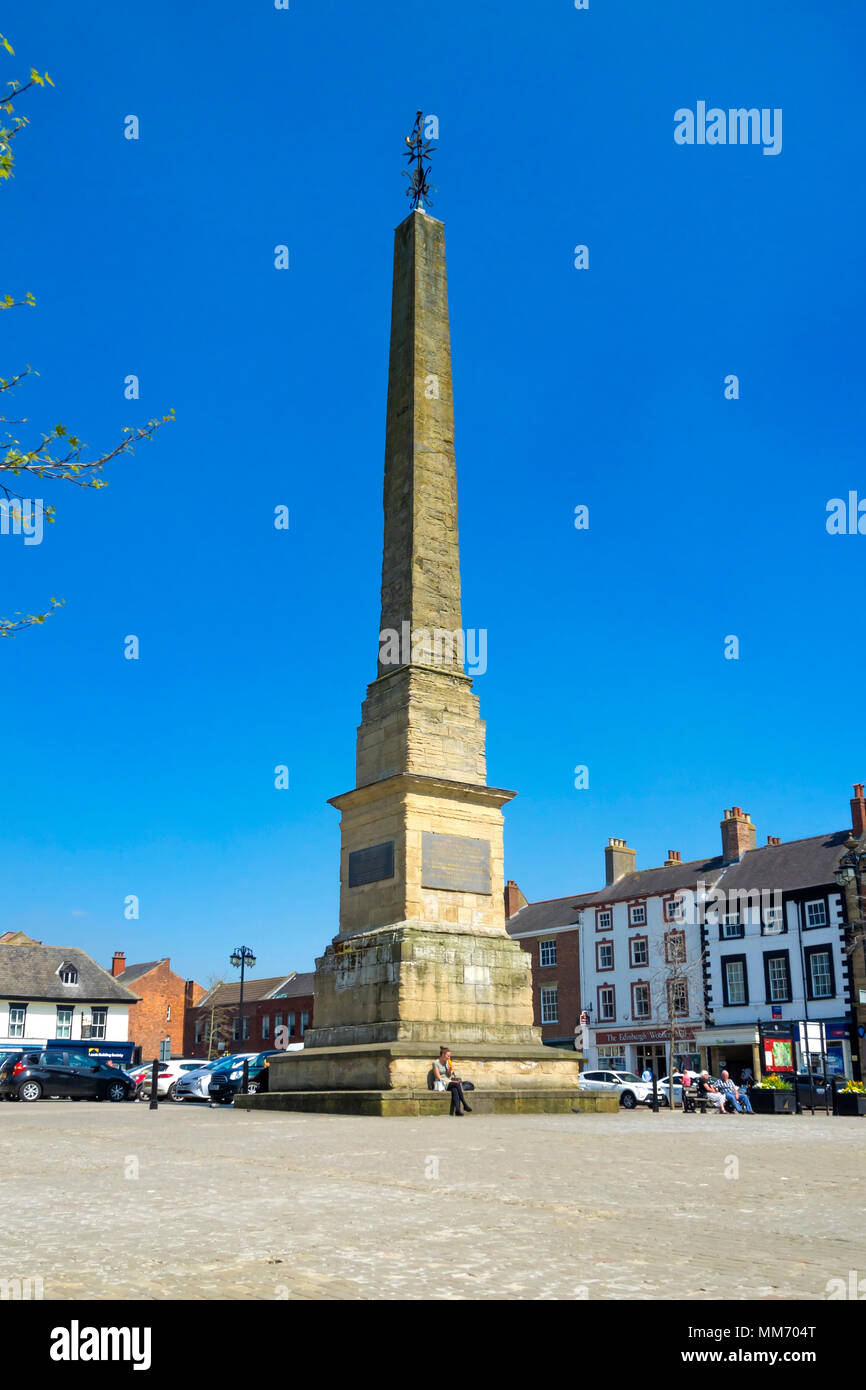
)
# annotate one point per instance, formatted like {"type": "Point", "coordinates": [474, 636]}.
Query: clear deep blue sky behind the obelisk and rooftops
{"type": "Point", "coordinates": [262, 127]}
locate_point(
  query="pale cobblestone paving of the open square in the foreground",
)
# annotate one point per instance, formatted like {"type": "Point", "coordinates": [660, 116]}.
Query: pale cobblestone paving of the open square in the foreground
{"type": "Point", "coordinates": [108, 1202]}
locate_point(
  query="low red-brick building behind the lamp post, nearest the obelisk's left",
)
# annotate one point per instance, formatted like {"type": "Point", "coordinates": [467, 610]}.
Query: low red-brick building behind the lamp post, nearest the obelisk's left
{"type": "Point", "coordinates": [279, 1003]}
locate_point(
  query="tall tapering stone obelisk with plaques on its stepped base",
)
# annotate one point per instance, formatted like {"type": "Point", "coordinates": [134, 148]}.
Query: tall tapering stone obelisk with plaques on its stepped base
{"type": "Point", "coordinates": [422, 957]}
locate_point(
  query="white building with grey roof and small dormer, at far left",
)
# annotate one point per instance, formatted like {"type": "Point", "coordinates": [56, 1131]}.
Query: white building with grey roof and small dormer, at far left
{"type": "Point", "coordinates": [59, 995]}
